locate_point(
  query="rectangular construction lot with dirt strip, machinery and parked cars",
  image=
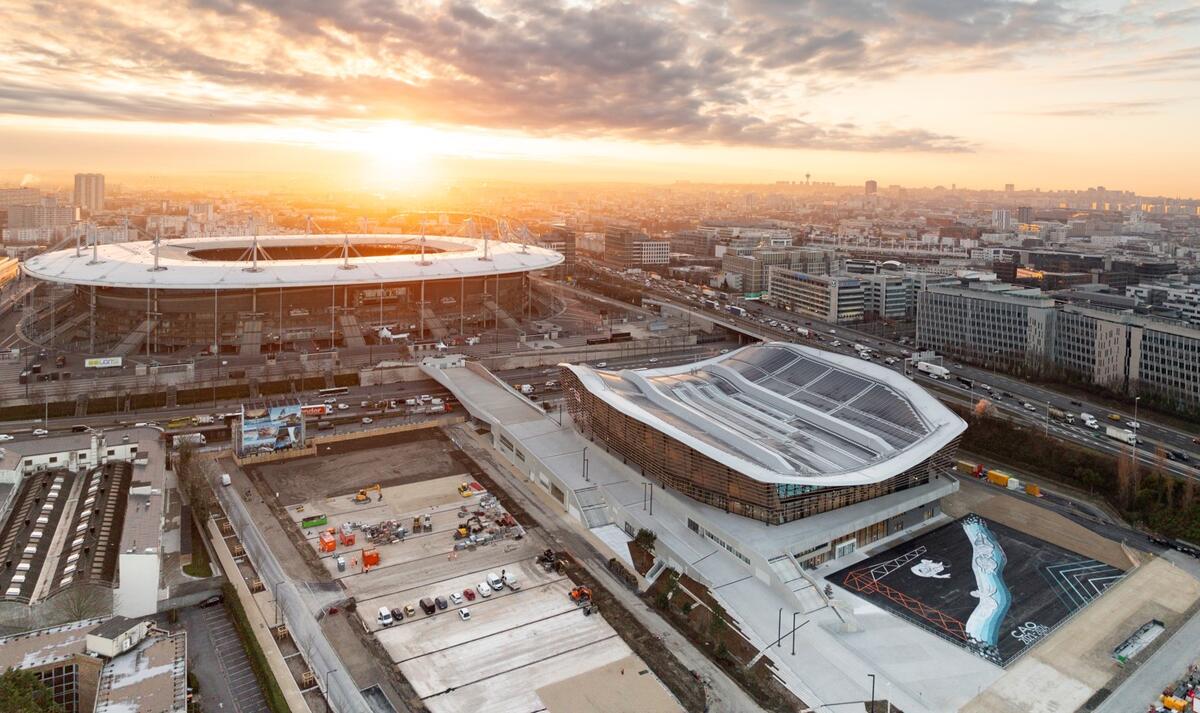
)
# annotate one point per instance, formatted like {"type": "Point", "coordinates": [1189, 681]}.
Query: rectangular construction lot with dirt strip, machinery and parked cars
{"type": "Point", "coordinates": [465, 598]}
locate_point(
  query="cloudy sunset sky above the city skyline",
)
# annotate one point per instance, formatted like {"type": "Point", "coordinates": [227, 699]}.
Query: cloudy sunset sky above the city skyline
{"type": "Point", "coordinates": [980, 93]}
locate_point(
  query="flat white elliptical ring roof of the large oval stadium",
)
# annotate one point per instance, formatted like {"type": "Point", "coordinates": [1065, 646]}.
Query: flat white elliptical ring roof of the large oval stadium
{"type": "Point", "coordinates": [133, 265]}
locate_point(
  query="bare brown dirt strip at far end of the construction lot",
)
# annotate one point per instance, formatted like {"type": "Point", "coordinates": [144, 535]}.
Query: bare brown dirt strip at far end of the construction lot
{"type": "Point", "coordinates": [345, 468]}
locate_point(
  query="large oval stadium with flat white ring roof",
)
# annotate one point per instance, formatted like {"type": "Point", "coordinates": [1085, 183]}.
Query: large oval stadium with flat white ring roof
{"type": "Point", "coordinates": [251, 295]}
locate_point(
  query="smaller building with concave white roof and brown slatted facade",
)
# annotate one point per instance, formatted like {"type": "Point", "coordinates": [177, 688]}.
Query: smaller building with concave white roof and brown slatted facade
{"type": "Point", "coordinates": [773, 433]}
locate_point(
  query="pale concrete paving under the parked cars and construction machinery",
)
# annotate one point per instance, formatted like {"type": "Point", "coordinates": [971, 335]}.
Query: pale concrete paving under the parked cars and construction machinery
{"type": "Point", "coordinates": [515, 642]}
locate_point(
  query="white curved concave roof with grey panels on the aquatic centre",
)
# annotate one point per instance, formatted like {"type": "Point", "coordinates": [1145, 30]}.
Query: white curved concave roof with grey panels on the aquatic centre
{"type": "Point", "coordinates": [785, 414]}
